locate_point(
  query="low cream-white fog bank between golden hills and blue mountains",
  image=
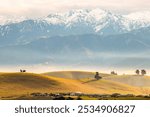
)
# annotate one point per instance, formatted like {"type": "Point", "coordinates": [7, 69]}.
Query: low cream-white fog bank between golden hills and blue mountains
{"type": "Point", "coordinates": [47, 68]}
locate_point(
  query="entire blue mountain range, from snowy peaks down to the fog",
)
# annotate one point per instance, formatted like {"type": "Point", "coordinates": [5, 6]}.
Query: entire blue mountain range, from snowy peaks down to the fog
{"type": "Point", "coordinates": [83, 36]}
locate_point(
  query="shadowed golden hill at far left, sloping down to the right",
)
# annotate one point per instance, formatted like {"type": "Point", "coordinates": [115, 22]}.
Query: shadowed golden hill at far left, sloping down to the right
{"type": "Point", "coordinates": [23, 83]}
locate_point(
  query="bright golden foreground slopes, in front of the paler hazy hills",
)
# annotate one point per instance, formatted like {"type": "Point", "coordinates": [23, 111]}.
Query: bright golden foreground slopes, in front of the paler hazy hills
{"type": "Point", "coordinates": [23, 83]}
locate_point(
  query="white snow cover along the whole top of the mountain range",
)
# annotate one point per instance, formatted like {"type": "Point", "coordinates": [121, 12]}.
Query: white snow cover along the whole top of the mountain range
{"type": "Point", "coordinates": [96, 18]}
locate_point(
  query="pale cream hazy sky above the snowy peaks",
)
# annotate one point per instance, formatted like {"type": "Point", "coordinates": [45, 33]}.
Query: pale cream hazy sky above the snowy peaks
{"type": "Point", "coordinates": [44, 7]}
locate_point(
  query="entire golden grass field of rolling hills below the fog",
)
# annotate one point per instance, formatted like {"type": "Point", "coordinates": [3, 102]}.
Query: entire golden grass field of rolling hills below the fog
{"type": "Point", "coordinates": [15, 84]}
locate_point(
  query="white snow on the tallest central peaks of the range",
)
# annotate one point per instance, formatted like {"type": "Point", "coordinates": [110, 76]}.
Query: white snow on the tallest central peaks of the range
{"type": "Point", "coordinates": [96, 18]}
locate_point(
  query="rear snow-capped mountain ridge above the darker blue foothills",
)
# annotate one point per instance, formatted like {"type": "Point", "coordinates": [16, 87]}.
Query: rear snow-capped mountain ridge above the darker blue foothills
{"type": "Point", "coordinates": [21, 30]}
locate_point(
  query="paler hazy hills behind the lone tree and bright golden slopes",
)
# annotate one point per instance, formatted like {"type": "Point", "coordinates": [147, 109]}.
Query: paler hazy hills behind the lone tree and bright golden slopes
{"type": "Point", "coordinates": [132, 80]}
